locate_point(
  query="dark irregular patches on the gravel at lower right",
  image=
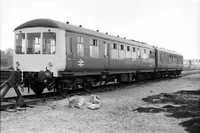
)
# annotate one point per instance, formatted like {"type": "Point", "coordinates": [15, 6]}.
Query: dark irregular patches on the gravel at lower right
{"type": "Point", "coordinates": [181, 104]}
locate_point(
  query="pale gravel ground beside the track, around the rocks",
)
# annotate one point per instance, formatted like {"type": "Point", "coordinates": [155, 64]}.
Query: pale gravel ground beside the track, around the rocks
{"type": "Point", "coordinates": [116, 114]}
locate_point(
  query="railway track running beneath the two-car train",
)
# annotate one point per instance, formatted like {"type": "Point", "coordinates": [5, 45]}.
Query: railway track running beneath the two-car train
{"type": "Point", "coordinates": [10, 102]}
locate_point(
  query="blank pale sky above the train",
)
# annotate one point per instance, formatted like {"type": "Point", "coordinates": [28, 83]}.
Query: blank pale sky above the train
{"type": "Point", "coordinates": [171, 24]}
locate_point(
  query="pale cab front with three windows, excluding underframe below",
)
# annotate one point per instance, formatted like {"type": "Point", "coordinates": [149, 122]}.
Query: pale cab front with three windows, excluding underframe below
{"type": "Point", "coordinates": [37, 49]}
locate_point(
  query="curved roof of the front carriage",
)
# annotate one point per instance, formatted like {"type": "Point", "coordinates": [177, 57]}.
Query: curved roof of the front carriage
{"type": "Point", "coordinates": [68, 27]}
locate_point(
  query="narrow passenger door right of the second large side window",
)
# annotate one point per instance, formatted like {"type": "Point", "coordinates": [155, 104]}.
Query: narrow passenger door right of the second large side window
{"type": "Point", "coordinates": [106, 56]}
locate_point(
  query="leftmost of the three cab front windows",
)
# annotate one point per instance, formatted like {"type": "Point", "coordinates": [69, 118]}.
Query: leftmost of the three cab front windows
{"type": "Point", "coordinates": [20, 43]}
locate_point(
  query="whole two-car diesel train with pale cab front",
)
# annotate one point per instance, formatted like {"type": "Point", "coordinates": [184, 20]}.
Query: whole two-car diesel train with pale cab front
{"type": "Point", "coordinates": [52, 54]}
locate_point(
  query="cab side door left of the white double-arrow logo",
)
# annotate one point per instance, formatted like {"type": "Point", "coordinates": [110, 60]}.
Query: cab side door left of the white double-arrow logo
{"type": "Point", "coordinates": [69, 51]}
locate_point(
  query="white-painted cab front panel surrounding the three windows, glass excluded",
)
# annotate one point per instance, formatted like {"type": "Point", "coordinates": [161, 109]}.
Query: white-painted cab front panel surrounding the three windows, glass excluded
{"type": "Point", "coordinates": [38, 62]}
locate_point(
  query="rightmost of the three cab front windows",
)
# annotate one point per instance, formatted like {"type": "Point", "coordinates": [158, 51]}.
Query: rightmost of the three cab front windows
{"type": "Point", "coordinates": [49, 43]}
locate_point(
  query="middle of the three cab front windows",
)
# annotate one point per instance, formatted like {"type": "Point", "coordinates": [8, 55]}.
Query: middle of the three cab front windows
{"type": "Point", "coordinates": [33, 43]}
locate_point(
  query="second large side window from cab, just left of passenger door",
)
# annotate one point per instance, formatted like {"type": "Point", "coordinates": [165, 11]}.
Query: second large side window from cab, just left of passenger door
{"type": "Point", "coordinates": [94, 48]}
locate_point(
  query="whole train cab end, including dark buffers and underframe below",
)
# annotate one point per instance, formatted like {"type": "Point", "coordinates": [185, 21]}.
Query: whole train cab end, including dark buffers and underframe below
{"type": "Point", "coordinates": [39, 56]}
